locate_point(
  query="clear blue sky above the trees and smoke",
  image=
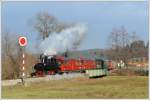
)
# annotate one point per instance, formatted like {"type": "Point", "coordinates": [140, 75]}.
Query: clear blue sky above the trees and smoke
{"type": "Point", "coordinates": [99, 17]}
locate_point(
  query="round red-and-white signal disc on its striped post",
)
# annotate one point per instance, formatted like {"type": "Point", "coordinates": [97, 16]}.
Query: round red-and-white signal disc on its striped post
{"type": "Point", "coordinates": [23, 43]}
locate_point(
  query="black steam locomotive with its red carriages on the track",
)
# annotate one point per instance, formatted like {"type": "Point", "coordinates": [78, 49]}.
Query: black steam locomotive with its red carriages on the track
{"type": "Point", "coordinates": [54, 64]}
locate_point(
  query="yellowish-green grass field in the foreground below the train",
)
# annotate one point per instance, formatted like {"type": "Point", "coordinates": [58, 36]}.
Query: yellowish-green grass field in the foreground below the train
{"type": "Point", "coordinates": [106, 87]}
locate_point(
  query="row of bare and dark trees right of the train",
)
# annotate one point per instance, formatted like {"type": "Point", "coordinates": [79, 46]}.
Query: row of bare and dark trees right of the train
{"type": "Point", "coordinates": [124, 45]}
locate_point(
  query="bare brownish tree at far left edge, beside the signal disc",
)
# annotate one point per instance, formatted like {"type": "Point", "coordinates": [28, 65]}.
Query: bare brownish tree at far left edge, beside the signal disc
{"type": "Point", "coordinates": [11, 56]}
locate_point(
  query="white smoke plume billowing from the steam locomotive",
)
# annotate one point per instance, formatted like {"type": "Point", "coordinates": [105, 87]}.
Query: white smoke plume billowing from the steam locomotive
{"type": "Point", "coordinates": [67, 39]}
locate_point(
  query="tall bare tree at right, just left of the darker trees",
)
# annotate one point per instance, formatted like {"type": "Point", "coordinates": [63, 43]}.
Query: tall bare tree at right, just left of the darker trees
{"type": "Point", "coordinates": [118, 40]}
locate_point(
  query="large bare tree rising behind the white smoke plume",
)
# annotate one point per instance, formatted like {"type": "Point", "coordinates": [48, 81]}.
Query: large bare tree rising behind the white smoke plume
{"type": "Point", "coordinates": [45, 24]}
